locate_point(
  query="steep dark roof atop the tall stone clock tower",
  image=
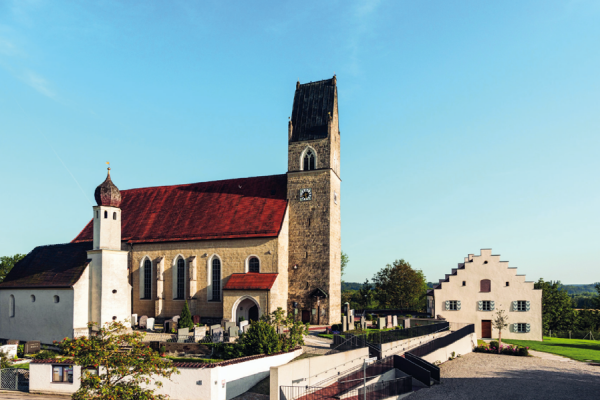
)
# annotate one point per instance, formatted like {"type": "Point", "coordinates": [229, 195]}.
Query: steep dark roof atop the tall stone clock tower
{"type": "Point", "coordinates": [313, 103]}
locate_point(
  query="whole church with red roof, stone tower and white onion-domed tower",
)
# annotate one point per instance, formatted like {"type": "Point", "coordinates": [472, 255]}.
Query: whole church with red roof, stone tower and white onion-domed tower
{"type": "Point", "coordinates": [232, 249]}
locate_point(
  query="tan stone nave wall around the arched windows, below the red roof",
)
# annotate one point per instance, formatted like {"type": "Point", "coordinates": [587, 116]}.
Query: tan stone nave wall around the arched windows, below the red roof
{"type": "Point", "coordinates": [232, 252]}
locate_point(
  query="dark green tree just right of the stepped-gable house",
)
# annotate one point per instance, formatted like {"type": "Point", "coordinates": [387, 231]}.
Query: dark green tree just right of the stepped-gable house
{"type": "Point", "coordinates": [557, 306]}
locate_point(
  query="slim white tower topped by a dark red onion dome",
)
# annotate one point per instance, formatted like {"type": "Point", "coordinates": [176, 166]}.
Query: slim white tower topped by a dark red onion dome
{"type": "Point", "coordinates": [110, 292]}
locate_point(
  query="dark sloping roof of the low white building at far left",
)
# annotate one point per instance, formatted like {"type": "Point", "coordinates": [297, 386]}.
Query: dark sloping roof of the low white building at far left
{"type": "Point", "coordinates": [59, 265]}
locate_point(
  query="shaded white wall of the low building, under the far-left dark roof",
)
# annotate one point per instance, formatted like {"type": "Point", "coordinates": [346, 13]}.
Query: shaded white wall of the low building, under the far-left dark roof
{"type": "Point", "coordinates": [42, 320]}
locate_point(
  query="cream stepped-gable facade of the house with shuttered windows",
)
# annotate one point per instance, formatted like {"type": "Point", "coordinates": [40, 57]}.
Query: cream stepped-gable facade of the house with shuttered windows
{"type": "Point", "coordinates": [463, 286]}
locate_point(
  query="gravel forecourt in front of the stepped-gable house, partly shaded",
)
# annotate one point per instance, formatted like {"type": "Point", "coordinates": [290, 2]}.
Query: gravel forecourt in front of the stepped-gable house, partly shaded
{"type": "Point", "coordinates": [489, 376]}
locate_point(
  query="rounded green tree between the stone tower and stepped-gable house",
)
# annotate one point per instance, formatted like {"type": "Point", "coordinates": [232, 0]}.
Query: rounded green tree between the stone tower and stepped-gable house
{"type": "Point", "coordinates": [400, 286]}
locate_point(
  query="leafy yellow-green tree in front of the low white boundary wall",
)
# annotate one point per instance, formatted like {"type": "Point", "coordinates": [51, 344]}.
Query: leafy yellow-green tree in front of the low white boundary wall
{"type": "Point", "coordinates": [124, 363]}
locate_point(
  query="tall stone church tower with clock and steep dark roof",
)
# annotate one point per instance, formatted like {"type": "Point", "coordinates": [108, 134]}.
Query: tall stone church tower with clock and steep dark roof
{"type": "Point", "coordinates": [314, 204]}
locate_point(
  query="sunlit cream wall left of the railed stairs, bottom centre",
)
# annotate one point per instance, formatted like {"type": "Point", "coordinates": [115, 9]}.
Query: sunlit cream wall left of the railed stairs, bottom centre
{"type": "Point", "coordinates": [313, 370]}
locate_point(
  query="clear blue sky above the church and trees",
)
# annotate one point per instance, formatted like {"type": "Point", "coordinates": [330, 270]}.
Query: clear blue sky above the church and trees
{"type": "Point", "coordinates": [464, 124]}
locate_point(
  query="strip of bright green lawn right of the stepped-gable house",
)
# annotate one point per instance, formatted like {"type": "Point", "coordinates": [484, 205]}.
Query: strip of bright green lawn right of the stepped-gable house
{"type": "Point", "coordinates": [577, 349]}
